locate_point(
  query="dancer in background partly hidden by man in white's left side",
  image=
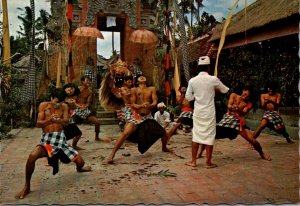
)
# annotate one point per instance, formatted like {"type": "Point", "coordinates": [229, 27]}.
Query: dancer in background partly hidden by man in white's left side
{"type": "Point", "coordinates": [186, 115]}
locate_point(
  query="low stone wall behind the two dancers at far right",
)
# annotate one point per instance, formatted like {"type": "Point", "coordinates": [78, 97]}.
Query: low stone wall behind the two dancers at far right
{"type": "Point", "coordinates": [290, 116]}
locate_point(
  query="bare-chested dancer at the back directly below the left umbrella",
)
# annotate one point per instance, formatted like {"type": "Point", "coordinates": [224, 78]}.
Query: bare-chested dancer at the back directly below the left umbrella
{"type": "Point", "coordinates": [83, 103]}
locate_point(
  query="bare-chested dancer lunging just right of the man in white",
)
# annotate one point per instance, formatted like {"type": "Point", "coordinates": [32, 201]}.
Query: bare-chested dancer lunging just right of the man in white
{"type": "Point", "coordinates": [233, 123]}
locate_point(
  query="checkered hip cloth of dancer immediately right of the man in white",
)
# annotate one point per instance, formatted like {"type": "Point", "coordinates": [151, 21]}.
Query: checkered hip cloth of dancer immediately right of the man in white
{"type": "Point", "coordinates": [232, 120]}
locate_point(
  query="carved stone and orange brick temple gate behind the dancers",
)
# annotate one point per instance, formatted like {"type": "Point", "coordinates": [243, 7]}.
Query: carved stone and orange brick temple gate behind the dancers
{"type": "Point", "coordinates": [128, 14]}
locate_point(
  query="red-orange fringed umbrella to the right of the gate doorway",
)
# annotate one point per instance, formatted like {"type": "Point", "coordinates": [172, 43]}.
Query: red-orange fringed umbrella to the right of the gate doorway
{"type": "Point", "coordinates": [143, 36]}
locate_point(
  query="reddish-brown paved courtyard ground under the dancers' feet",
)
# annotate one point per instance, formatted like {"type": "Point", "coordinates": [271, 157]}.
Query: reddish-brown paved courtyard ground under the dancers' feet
{"type": "Point", "coordinates": [154, 177]}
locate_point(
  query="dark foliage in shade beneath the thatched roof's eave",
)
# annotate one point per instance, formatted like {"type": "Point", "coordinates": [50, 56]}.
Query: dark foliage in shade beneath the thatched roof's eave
{"type": "Point", "coordinates": [258, 63]}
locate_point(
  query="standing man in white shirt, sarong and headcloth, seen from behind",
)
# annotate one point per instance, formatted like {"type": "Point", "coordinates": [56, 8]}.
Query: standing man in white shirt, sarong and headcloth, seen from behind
{"type": "Point", "coordinates": [202, 88]}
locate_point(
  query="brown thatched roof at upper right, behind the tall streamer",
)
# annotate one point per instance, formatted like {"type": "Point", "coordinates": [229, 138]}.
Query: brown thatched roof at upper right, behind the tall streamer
{"type": "Point", "coordinates": [258, 14]}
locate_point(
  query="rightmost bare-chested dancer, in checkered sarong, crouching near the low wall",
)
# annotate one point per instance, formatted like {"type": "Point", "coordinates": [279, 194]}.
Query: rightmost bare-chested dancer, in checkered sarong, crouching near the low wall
{"type": "Point", "coordinates": [271, 118]}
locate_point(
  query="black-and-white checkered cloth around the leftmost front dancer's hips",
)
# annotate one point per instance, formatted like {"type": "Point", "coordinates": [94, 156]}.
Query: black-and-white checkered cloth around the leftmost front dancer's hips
{"type": "Point", "coordinates": [57, 141]}
